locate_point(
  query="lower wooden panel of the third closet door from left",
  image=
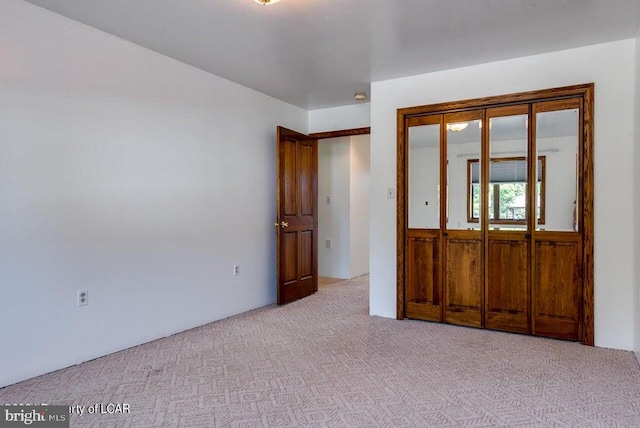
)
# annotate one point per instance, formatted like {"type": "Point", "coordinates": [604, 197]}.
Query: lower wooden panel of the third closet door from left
{"type": "Point", "coordinates": [507, 291]}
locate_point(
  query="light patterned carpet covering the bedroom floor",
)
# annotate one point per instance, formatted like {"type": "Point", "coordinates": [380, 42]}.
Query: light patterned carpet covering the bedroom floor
{"type": "Point", "coordinates": [323, 362]}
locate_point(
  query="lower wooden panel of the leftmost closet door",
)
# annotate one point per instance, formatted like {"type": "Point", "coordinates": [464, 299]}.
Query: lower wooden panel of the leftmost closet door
{"type": "Point", "coordinates": [423, 277]}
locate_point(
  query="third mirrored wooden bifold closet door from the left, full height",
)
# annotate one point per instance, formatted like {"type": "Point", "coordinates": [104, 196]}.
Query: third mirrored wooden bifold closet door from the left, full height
{"type": "Point", "coordinates": [508, 218]}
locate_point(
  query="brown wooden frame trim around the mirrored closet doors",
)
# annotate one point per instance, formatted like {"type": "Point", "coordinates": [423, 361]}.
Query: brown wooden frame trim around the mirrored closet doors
{"type": "Point", "coordinates": [586, 93]}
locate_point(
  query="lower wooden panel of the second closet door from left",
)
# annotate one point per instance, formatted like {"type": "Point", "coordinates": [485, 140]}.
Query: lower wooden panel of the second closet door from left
{"type": "Point", "coordinates": [463, 283]}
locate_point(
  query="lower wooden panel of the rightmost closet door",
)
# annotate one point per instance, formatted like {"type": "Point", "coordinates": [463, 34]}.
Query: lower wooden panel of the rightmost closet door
{"type": "Point", "coordinates": [557, 287]}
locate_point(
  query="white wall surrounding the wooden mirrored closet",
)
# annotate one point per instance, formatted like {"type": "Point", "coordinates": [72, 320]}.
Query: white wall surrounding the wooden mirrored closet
{"type": "Point", "coordinates": [611, 67]}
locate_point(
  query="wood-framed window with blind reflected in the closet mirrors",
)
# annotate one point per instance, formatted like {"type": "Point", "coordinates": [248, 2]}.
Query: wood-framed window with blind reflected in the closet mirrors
{"type": "Point", "coordinates": [507, 190]}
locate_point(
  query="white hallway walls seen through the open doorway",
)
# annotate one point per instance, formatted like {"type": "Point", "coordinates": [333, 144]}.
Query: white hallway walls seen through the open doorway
{"type": "Point", "coordinates": [343, 174]}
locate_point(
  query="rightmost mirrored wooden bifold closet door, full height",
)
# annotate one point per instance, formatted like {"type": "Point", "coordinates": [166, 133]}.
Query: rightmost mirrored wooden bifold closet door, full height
{"type": "Point", "coordinates": [557, 279]}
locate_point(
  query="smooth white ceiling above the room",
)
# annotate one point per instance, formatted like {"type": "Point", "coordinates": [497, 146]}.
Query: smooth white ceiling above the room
{"type": "Point", "coordinates": [318, 53]}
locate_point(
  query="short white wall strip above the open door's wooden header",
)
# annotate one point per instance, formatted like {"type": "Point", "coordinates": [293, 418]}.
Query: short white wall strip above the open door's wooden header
{"type": "Point", "coordinates": [340, 118]}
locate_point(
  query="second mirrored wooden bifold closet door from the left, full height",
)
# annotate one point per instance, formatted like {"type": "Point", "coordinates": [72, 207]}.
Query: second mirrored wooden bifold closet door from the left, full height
{"type": "Point", "coordinates": [462, 238]}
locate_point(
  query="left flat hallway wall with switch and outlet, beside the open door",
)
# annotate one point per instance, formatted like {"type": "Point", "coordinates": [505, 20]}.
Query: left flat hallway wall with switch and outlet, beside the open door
{"type": "Point", "coordinates": [334, 177]}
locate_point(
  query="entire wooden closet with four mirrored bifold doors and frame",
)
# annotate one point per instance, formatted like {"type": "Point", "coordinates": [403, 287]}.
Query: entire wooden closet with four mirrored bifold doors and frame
{"type": "Point", "coordinates": [495, 213]}
